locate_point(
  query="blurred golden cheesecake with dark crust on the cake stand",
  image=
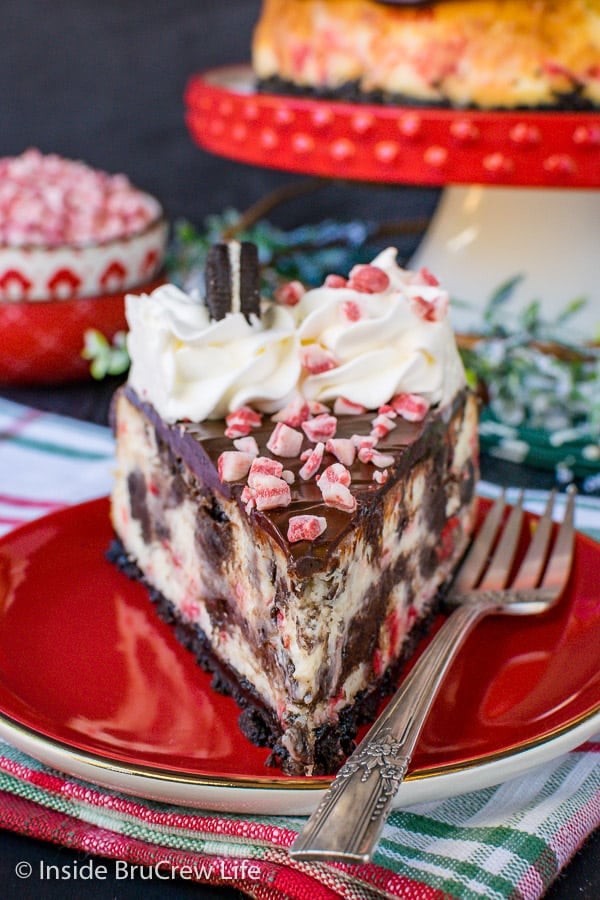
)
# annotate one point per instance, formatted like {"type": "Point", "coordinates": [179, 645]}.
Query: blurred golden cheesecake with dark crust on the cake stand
{"type": "Point", "coordinates": [462, 53]}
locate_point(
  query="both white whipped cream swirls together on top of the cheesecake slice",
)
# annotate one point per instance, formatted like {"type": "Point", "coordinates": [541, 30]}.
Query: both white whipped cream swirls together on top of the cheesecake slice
{"type": "Point", "coordinates": [363, 346]}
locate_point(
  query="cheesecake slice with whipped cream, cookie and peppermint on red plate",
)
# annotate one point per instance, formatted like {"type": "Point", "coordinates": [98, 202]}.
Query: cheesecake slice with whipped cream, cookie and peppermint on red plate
{"type": "Point", "coordinates": [296, 484]}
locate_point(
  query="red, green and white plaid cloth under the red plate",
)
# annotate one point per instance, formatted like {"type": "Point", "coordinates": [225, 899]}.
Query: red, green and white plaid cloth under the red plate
{"type": "Point", "coordinates": [508, 841]}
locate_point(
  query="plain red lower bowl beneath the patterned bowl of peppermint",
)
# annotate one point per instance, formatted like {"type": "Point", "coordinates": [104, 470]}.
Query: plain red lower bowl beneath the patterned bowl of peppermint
{"type": "Point", "coordinates": [42, 341]}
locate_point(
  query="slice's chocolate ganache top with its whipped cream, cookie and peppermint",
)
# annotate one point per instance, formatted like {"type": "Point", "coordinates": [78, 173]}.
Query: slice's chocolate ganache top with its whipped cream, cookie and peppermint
{"type": "Point", "coordinates": [307, 411]}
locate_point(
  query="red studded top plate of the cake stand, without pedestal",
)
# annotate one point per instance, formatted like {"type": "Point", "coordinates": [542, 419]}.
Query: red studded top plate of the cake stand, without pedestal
{"type": "Point", "coordinates": [411, 145]}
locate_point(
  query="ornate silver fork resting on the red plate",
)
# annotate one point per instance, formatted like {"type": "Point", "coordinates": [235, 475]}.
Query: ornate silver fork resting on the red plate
{"type": "Point", "coordinates": [347, 824]}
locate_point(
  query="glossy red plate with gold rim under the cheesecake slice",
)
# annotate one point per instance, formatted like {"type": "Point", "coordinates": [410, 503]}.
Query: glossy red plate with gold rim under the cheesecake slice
{"type": "Point", "coordinates": [84, 661]}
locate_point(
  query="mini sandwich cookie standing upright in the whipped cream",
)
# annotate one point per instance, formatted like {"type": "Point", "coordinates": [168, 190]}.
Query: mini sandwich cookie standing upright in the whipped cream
{"type": "Point", "coordinates": [232, 279]}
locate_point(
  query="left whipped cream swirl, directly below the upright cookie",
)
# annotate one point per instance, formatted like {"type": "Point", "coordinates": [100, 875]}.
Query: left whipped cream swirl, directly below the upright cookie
{"type": "Point", "coordinates": [191, 367]}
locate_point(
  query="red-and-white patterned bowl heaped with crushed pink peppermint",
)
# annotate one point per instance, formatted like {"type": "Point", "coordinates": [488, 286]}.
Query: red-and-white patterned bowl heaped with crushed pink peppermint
{"type": "Point", "coordinates": [68, 230]}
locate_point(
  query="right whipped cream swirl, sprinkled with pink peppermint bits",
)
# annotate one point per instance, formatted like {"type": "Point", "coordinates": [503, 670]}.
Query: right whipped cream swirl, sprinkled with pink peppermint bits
{"type": "Point", "coordinates": [397, 340]}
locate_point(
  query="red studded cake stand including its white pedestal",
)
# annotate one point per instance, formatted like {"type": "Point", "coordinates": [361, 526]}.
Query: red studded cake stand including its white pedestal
{"type": "Point", "coordinates": [520, 193]}
